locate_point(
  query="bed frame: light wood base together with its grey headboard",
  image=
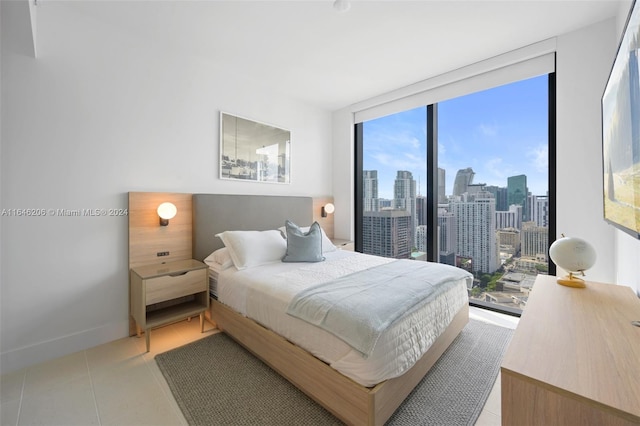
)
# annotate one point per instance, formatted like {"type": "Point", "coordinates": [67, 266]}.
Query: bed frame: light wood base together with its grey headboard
{"type": "Point", "coordinates": [349, 401]}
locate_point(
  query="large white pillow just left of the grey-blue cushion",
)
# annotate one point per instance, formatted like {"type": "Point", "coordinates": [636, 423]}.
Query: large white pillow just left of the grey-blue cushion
{"type": "Point", "coordinates": [254, 248]}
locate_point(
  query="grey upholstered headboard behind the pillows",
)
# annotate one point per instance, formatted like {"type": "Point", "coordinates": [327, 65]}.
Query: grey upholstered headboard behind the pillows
{"type": "Point", "coordinates": [215, 213]}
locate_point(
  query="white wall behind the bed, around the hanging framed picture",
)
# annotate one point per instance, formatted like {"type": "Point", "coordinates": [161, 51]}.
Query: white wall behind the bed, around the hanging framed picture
{"type": "Point", "coordinates": [100, 113]}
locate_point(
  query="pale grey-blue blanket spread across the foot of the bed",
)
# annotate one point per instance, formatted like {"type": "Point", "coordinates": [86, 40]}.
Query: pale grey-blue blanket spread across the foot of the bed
{"type": "Point", "coordinates": [359, 307]}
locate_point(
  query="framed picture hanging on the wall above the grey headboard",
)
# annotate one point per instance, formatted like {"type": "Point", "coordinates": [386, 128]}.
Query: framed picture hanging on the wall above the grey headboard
{"type": "Point", "coordinates": [253, 151]}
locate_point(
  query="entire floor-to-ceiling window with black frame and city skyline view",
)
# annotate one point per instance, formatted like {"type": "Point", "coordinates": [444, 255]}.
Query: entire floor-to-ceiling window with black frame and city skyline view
{"type": "Point", "coordinates": [466, 181]}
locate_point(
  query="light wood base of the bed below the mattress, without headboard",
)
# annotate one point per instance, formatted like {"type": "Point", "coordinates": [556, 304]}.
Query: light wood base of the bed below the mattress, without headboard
{"type": "Point", "coordinates": [351, 402]}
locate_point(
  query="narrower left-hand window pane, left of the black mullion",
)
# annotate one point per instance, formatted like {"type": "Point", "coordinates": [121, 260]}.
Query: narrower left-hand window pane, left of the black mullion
{"type": "Point", "coordinates": [394, 173]}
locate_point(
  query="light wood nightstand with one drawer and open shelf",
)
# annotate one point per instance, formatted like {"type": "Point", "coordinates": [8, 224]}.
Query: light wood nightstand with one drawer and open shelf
{"type": "Point", "coordinates": [168, 292]}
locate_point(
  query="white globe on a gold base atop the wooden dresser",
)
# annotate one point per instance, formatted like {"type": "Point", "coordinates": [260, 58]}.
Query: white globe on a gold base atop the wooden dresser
{"type": "Point", "coordinates": [575, 256]}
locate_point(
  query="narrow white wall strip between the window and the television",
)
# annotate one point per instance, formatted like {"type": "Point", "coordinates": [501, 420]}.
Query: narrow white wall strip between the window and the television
{"type": "Point", "coordinates": [584, 59]}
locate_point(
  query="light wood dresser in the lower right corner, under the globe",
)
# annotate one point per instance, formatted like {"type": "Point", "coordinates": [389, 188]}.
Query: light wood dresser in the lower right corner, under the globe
{"type": "Point", "coordinates": [574, 358]}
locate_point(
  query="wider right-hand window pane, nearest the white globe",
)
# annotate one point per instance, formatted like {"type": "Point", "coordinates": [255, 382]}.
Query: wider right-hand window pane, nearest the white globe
{"type": "Point", "coordinates": [494, 215]}
